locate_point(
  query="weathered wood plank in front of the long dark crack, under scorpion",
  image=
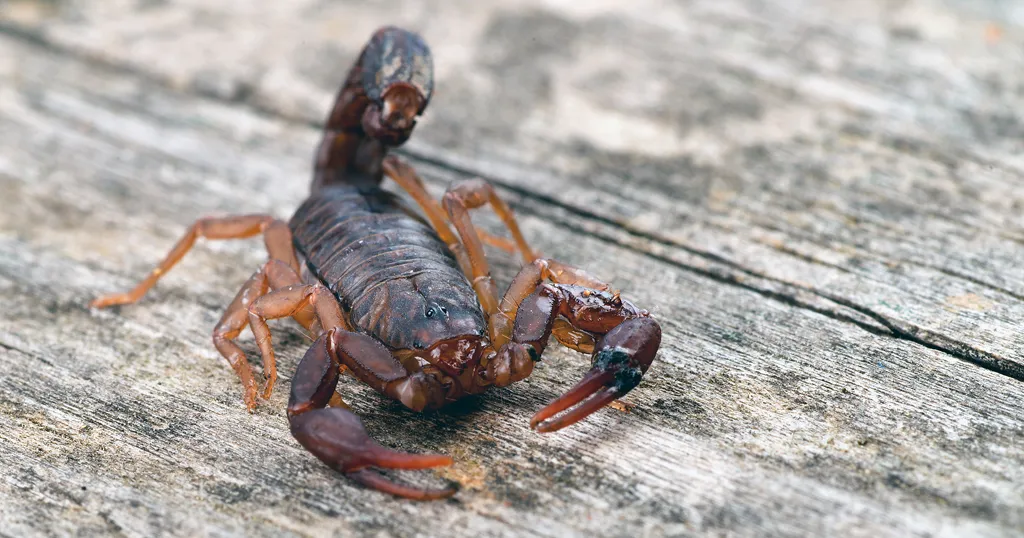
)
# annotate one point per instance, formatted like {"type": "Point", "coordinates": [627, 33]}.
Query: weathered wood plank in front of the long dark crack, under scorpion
{"type": "Point", "coordinates": [761, 416]}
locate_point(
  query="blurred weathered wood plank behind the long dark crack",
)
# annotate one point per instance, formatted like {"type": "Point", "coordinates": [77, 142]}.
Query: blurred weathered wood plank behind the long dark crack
{"type": "Point", "coordinates": [864, 158]}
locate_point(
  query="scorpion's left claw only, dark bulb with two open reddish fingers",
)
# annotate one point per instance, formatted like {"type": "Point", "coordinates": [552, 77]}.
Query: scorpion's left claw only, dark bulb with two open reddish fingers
{"type": "Point", "coordinates": [337, 438]}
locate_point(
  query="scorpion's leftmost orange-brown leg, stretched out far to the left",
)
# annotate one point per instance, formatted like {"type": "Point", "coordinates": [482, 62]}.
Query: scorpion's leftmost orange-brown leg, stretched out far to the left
{"type": "Point", "coordinates": [276, 235]}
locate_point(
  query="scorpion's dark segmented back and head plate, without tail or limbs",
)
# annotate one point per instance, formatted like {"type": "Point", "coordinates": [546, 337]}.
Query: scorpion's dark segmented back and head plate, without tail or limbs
{"type": "Point", "coordinates": [382, 264]}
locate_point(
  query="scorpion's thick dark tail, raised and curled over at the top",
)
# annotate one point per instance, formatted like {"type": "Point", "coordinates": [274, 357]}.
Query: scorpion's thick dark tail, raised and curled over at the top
{"type": "Point", "coordinates": [376, 109]}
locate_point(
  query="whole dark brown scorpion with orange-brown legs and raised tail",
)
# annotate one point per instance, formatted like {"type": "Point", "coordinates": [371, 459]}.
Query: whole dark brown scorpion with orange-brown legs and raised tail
{"type": "Point", "coordinates": [404, 301]}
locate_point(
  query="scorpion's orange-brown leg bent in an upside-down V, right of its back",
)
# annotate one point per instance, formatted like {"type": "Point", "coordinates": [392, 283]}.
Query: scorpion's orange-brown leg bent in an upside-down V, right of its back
{"type": "Point", "coordinates": [458, 201]}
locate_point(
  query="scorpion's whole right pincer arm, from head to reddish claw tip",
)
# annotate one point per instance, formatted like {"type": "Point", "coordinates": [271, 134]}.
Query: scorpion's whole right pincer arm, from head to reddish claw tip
{"type": "Point", "coordinates": [627, 340]}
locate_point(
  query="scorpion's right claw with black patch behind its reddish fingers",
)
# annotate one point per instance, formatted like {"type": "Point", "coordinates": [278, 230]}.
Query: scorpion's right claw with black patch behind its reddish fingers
{"type": "Point", "coordinates": [620, 361]}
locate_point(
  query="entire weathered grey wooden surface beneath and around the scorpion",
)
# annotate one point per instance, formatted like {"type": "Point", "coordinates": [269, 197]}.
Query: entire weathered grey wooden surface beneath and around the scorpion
{"type": "Point", "coordinates": [823, 202]}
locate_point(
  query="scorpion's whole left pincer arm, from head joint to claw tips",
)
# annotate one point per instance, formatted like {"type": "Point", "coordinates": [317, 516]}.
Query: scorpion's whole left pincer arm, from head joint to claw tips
{"type": "Point", "coordinates": [336, 436]}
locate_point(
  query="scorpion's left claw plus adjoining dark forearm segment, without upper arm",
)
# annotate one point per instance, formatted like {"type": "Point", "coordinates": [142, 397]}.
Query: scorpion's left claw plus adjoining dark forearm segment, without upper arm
{"type": "Point", "coordinates": [338, 438]}
